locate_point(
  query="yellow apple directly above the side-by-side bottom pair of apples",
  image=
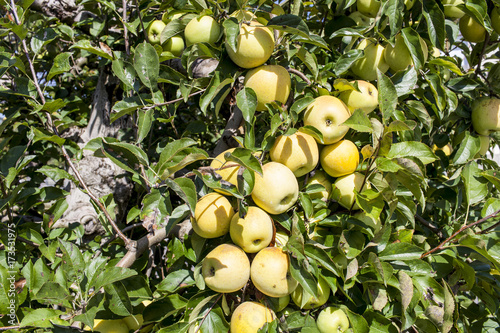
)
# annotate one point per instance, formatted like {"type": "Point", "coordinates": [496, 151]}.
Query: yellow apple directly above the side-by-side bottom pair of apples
{"type": "Point", "coordinates": [253, 232]}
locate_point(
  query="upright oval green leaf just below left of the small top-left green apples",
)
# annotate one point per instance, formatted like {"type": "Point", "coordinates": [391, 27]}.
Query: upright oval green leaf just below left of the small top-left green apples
{"type": "Point", "coordinates": [147, 65]}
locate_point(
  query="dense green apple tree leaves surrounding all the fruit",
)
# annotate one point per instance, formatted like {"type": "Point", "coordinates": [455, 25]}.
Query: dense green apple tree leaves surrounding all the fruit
{"type": "Point", "coordinates": [431, 265]}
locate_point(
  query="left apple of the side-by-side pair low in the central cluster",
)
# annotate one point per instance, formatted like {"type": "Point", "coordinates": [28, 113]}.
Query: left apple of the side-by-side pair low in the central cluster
{"type": "Point", "coordinates": [226, 268]}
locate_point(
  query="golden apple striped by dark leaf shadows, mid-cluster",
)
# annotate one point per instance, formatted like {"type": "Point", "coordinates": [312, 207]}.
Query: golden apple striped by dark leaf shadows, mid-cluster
{"type": "Point", "coordinates": [299, 152]}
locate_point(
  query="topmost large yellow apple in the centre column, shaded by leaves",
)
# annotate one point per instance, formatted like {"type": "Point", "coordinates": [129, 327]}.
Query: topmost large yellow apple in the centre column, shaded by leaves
{"type": "Point", "coordinates": [254, 45]}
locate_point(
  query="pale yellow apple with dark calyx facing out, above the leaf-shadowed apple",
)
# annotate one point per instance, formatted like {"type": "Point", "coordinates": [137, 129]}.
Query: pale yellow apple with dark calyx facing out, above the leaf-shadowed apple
{"type": "Point", "coordinates": [327, 113]}
